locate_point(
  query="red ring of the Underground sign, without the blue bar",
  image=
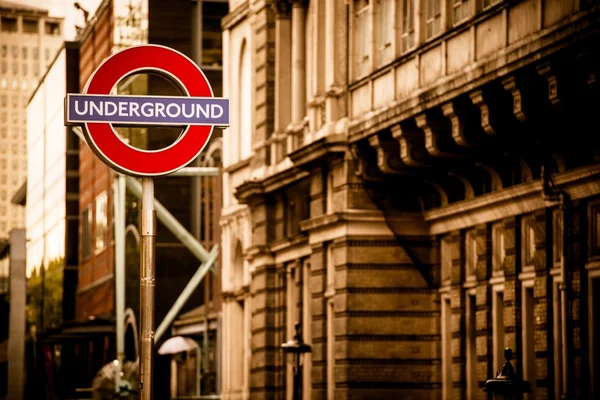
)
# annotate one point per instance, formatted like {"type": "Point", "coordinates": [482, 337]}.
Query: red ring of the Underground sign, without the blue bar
{"type": "Point", "coordinates": [105, 141]}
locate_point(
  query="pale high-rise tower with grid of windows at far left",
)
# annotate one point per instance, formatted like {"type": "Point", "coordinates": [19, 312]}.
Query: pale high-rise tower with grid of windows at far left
{"type": "Point", "coordinates": [29, 39]}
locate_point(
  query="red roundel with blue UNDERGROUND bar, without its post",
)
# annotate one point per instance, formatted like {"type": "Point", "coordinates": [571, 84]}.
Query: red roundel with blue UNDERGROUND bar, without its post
{"type": "Point", "coordinates": [198, 112]}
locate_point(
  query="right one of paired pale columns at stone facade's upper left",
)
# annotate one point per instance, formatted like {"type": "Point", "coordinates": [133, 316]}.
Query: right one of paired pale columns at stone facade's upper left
{"type": "Point", "coordinates": [298, 61]}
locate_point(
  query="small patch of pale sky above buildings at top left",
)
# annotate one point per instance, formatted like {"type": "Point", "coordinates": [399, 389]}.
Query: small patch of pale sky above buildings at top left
{"type": "Point", "coordinates": [65, 8]}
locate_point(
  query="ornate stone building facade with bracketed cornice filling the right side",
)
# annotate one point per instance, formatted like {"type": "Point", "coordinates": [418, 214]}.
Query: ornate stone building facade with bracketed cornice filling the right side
{"type": "Point", "coordinates": [420, 191]}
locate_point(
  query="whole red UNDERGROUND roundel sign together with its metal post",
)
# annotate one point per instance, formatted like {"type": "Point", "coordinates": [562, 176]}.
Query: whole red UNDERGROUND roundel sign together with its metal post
{"type": "Point", "coordinates": [198, 112]}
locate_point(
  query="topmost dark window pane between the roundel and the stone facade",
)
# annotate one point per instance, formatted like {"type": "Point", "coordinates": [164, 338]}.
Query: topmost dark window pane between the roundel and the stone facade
{"type": "Point", "coordinates": [212, 46]}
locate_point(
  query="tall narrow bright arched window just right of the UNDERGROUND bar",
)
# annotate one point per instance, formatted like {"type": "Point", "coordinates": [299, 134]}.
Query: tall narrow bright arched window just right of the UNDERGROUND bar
{"type": "Point", "coordinates": [245, 105]}
